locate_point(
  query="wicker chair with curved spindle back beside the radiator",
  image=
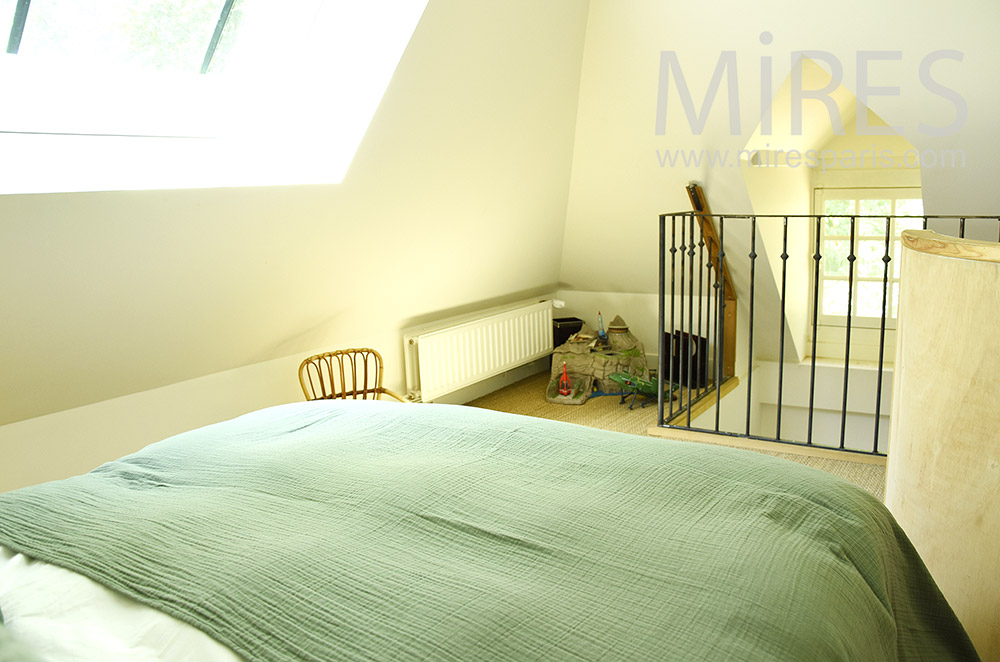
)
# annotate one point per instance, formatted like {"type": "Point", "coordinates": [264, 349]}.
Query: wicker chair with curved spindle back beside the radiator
{"type": "Point", "coordinates": [344, 373]}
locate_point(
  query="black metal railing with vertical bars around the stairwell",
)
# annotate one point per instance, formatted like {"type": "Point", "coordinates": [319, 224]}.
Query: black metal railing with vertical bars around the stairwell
{"type": "Point", "coordinates": [697, 309]}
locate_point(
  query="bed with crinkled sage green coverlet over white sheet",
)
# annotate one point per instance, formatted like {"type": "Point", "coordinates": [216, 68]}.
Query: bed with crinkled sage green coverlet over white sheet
{"type": "Point", "coordinates": [350, 530]}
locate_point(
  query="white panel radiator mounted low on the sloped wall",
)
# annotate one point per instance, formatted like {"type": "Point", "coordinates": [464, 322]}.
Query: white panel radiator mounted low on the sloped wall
{"type": "Point", "coordinates": [453, 353]}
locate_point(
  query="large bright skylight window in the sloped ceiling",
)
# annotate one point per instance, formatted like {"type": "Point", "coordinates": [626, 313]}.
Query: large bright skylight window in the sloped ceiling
{"type": "Point", "coordinates": [137, 94]}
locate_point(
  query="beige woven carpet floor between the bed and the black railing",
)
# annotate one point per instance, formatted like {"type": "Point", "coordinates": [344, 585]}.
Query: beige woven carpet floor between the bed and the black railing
{"type": "Point", "coordinates": [528, 397]}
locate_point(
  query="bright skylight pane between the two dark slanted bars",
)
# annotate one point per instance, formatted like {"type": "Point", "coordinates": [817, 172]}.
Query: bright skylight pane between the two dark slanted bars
{"type": "Point", "coordinates": [166, 35]}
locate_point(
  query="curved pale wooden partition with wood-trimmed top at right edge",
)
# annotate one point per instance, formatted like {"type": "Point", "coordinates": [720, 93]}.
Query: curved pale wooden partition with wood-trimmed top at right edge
{"type": "Point", "coordinates": [943, 471]}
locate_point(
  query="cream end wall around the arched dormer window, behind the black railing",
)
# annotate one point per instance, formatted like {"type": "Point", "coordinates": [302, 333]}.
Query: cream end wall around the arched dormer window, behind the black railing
{"type": "Point", "coordinates": [618, 185]}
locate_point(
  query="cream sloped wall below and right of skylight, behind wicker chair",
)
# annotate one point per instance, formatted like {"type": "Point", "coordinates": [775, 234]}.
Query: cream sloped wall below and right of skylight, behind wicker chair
{"type": "Point", "coordinates": [456, 196]}
